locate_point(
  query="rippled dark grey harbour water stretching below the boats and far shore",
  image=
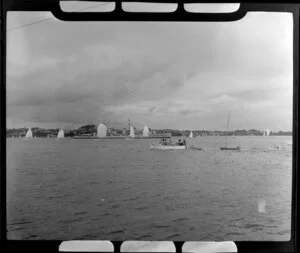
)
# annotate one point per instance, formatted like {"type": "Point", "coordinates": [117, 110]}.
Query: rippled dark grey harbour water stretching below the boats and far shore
{"type": "Point", "coordinates": [120, 190]}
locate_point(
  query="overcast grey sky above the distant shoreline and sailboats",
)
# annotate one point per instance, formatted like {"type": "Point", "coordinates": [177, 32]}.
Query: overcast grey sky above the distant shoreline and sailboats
{"type": "Point", "coordinates": [164, 75]}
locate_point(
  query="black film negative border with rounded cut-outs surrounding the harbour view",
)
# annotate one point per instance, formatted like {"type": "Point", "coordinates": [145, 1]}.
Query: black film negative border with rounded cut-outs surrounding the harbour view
{"type": "Point", "coordinates": [179, 15]}
